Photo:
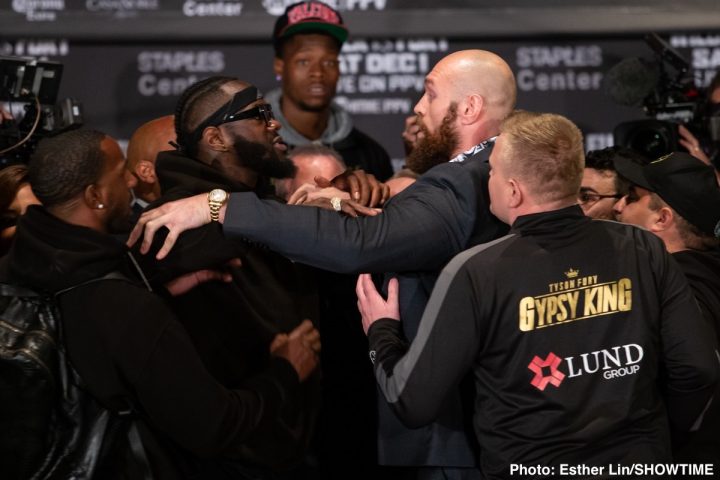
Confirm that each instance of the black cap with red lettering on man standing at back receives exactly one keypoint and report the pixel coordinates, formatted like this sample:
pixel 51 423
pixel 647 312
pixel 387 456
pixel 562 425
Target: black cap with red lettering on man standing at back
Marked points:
pixel 309 17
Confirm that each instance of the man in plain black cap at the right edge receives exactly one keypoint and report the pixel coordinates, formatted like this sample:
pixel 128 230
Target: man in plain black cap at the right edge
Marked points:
pixel 677 198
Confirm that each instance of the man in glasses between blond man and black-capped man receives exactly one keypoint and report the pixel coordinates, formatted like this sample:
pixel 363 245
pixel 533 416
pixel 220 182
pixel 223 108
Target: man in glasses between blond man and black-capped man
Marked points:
pixel 601 187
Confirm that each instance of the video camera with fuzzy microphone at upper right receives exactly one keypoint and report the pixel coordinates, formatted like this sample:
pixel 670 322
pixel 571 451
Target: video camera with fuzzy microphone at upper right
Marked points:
pixel 666 92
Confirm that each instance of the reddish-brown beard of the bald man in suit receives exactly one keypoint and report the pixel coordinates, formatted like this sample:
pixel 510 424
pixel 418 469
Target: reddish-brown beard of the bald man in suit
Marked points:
pixel 434 149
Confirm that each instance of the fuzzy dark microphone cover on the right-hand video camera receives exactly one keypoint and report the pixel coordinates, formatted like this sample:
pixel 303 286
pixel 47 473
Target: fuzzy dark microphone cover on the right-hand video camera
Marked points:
pixel 631 81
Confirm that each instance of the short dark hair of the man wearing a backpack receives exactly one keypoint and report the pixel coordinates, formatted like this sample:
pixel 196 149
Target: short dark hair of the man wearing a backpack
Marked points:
pixel 62 166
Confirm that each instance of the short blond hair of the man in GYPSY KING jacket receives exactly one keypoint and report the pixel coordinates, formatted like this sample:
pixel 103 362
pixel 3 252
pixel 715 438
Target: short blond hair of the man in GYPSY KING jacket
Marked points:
pixel 546 152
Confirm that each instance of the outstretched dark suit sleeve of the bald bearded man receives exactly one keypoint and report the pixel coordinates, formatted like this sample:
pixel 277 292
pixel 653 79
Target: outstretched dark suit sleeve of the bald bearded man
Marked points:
pixel 420 229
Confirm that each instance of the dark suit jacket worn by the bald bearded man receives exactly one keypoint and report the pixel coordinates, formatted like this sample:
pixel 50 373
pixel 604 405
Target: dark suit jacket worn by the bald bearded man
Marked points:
pixel 418 232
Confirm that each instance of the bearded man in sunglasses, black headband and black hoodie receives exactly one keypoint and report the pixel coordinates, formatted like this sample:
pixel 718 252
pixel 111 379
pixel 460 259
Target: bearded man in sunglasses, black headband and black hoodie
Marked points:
pixel 227 140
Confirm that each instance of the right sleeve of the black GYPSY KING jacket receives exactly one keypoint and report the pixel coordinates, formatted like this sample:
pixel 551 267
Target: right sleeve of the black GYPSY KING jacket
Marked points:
pixel 690 357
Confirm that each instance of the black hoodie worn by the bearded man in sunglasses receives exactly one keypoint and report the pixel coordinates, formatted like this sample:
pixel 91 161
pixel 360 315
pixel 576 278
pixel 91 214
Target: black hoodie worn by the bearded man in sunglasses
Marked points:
pixel 232 324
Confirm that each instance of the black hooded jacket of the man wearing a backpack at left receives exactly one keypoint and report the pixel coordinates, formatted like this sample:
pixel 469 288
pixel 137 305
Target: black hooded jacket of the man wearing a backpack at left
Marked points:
pixel 126 344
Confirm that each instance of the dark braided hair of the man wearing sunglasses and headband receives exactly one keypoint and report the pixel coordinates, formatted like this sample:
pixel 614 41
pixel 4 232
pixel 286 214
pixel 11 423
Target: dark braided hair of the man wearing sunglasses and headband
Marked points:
pixel 195 104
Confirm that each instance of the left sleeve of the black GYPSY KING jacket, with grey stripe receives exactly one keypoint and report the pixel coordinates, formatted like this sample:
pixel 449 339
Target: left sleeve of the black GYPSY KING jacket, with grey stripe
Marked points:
pixel 416 380
